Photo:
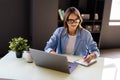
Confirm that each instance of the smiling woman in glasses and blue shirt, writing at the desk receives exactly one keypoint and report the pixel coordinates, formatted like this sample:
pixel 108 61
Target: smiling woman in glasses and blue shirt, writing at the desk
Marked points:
pixel 72 38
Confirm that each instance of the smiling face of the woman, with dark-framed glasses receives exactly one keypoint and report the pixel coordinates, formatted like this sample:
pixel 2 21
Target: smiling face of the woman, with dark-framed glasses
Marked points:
pixel 73 22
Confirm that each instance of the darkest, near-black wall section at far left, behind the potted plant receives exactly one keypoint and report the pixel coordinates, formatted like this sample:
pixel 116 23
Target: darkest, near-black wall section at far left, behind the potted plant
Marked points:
pixel 14 21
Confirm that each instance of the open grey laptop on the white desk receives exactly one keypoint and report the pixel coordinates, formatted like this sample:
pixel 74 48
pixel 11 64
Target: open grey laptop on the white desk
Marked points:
pixel 52 61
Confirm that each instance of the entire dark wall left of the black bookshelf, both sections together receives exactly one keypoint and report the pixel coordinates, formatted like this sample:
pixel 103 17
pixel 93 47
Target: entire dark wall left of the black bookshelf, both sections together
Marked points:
pixel 34 20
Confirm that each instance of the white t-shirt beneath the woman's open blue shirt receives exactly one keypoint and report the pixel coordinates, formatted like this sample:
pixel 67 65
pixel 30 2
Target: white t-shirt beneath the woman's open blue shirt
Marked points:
pixel 70 44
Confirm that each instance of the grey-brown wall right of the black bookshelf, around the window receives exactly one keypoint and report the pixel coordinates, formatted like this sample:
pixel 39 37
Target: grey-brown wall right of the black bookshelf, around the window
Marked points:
pixel 110 35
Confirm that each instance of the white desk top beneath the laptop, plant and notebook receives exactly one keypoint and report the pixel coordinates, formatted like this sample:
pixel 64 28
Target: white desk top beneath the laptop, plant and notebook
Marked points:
pixel 14 68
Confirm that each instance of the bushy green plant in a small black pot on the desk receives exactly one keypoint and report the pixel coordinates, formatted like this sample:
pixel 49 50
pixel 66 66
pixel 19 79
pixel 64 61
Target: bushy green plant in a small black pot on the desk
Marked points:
pixel 19 45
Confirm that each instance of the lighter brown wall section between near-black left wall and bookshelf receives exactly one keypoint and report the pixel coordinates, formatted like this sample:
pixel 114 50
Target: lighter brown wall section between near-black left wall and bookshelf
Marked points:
pixel 44 21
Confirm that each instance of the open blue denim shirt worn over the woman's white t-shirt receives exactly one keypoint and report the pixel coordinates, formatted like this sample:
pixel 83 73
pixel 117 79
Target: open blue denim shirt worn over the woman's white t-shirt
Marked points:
pixel 59 39
